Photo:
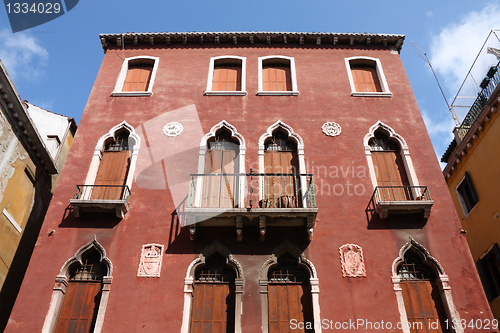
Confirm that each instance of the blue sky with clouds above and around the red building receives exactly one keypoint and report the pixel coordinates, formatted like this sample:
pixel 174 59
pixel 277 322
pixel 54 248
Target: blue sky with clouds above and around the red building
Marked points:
pixel 54 65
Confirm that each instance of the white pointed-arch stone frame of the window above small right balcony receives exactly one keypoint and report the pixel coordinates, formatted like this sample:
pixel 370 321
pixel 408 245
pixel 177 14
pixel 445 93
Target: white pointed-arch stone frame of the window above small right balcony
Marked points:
pixel 404 151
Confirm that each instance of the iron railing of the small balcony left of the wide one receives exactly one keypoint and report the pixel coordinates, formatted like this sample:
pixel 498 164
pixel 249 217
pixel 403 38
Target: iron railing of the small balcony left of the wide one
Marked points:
pixel 101 192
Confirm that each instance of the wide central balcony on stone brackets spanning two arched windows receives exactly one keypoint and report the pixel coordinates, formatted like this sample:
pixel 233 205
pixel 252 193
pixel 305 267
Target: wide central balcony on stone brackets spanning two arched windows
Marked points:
pixel 251 200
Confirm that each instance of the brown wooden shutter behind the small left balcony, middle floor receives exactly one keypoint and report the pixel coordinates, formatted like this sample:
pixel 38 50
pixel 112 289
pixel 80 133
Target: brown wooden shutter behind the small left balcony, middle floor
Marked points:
pixel 112 171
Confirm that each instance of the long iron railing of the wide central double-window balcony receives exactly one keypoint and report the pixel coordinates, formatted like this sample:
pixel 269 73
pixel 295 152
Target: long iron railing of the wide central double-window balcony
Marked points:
pixel 251 190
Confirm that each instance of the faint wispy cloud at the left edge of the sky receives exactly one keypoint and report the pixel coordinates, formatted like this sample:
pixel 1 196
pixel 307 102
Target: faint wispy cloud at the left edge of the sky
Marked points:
pixel 22 55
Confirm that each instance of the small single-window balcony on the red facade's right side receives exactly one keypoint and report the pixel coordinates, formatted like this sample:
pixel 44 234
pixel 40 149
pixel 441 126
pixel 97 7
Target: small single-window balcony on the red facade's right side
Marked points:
pixel 402 200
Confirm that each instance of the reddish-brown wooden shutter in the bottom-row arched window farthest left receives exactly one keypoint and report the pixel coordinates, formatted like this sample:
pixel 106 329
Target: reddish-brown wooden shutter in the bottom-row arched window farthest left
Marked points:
pixel 79 308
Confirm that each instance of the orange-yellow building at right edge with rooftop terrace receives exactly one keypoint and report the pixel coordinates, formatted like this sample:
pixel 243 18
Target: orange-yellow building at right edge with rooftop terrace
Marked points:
pixel 473 177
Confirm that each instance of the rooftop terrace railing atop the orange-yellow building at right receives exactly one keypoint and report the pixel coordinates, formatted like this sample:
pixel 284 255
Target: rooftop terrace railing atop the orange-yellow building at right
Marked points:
pixel 488 86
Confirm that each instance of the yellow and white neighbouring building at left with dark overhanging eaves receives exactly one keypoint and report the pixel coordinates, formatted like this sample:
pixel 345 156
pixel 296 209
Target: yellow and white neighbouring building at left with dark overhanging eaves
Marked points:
pixel 33 146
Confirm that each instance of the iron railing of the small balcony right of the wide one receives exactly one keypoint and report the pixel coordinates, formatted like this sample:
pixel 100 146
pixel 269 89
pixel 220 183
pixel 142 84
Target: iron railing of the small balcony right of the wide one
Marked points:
pixel 401 193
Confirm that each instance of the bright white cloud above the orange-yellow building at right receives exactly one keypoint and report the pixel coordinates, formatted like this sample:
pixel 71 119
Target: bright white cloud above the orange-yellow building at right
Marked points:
pixel 454 49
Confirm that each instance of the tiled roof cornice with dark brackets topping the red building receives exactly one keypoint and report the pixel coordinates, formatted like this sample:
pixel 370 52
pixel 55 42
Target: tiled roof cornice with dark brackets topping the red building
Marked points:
pixel 297 39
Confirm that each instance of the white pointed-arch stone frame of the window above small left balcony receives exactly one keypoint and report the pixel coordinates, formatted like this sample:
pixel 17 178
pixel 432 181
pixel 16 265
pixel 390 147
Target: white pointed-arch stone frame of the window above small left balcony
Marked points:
pixel 134 143
